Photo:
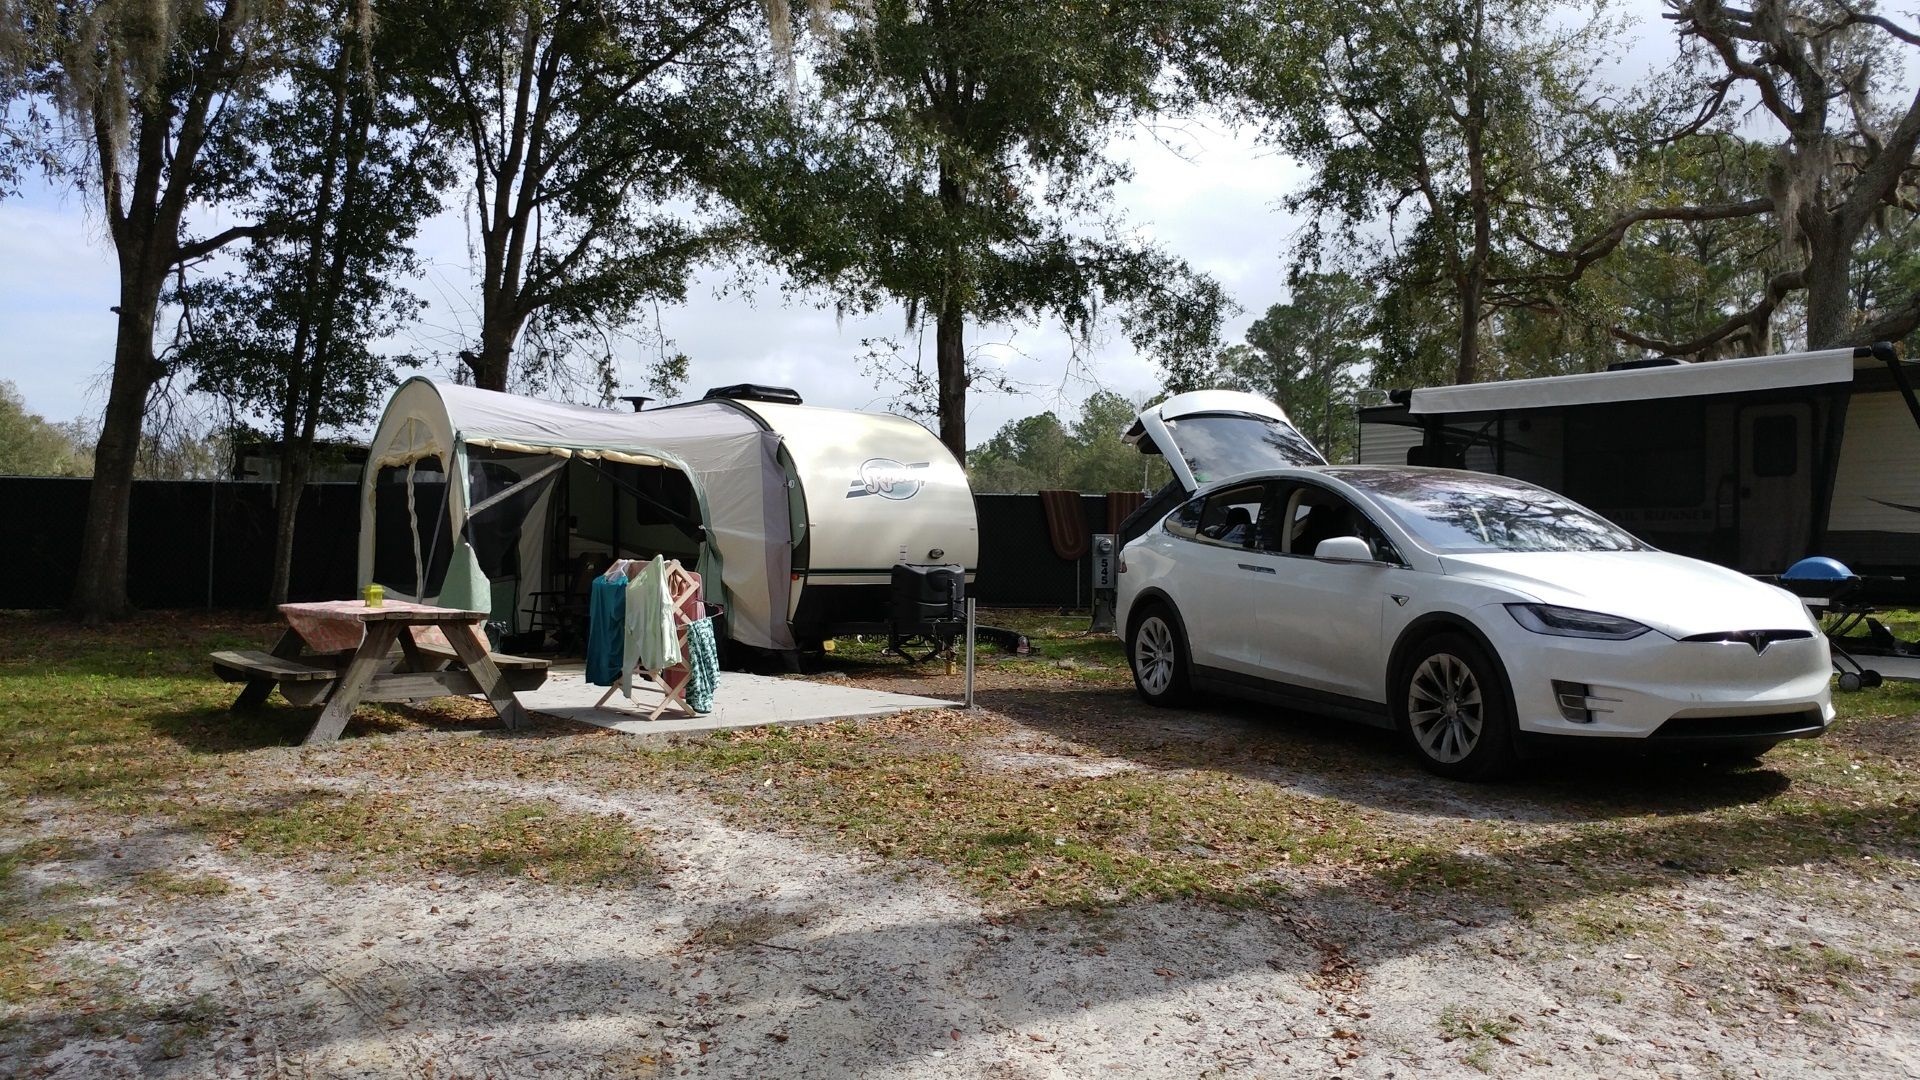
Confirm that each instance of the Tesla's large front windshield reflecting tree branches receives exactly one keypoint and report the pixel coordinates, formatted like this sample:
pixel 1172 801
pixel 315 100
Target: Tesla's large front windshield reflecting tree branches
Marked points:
pixel 1472 512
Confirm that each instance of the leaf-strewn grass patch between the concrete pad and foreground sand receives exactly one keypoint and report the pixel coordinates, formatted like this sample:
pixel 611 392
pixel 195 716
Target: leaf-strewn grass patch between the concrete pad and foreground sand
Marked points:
pixel 1063 843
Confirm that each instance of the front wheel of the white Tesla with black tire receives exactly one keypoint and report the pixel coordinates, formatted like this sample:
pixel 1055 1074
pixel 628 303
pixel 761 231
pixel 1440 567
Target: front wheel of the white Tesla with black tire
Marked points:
pixel 1451 704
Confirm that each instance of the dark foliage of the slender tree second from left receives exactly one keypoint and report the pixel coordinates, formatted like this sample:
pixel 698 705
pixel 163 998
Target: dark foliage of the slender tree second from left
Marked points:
pixel 341 176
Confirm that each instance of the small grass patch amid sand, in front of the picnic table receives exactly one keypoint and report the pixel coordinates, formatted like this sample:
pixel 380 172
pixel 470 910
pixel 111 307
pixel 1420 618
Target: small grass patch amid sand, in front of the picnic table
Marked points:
pixel 398 833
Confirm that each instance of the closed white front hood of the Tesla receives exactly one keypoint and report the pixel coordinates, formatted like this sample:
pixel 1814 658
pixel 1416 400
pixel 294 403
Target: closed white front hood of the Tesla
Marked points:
pixel 1673 595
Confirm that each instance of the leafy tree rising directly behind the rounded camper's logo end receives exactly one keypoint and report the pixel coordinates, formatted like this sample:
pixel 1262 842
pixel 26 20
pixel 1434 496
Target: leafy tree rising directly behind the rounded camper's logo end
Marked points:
pixel 959 166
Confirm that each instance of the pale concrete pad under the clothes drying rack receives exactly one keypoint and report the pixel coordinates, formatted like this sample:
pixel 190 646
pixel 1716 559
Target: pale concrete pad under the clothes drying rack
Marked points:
pixel 740 702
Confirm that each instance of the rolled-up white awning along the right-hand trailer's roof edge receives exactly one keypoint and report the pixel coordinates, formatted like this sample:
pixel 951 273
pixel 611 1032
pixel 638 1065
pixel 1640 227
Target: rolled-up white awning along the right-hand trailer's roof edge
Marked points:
pixel 1641 385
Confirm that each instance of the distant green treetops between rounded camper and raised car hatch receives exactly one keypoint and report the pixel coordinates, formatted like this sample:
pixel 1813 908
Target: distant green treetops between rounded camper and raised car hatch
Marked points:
pixel 1040 453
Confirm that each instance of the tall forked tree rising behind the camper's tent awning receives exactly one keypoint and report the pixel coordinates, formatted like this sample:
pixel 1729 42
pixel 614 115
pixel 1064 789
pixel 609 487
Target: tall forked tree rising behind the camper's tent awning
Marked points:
pixel 592 135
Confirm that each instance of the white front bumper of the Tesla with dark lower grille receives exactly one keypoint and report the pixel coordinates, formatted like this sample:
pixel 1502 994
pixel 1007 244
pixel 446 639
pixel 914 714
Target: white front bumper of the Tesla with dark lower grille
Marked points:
pixel 1658 691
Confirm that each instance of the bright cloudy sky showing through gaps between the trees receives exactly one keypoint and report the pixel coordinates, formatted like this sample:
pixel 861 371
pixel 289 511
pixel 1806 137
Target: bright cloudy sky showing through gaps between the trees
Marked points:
pixel 1203 191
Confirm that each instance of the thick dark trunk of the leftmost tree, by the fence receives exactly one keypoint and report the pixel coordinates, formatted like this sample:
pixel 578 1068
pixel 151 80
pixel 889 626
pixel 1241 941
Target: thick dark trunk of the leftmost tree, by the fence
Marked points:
pixel 101 581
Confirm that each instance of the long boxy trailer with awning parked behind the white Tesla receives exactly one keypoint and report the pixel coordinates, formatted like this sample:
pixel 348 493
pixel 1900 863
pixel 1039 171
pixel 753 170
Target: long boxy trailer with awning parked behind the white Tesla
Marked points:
pixel 1752 462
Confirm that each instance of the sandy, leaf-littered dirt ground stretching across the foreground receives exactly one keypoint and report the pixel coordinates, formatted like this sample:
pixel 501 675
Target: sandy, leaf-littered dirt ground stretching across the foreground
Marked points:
pixel 754 943
